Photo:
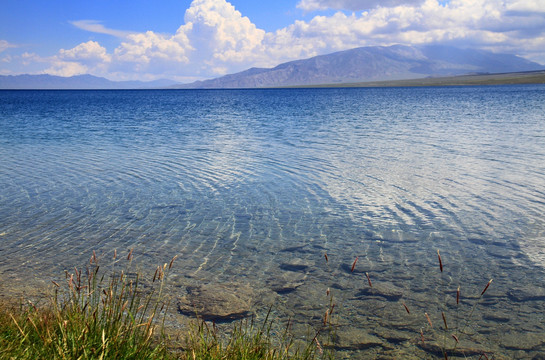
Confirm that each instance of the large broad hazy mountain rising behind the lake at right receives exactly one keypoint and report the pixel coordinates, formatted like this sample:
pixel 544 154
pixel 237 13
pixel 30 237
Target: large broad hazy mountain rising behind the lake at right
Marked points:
pixel 377 63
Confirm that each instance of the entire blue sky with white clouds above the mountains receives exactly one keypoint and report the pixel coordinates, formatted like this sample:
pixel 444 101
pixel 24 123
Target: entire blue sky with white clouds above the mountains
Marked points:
pixel 186 40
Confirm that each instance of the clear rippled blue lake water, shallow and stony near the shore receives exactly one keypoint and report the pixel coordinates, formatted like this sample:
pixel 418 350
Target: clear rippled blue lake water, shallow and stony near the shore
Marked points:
pixel 255 186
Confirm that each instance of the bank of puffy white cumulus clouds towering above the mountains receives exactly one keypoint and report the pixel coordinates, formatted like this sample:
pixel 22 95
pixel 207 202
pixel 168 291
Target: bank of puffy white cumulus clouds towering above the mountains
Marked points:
pixel 216 39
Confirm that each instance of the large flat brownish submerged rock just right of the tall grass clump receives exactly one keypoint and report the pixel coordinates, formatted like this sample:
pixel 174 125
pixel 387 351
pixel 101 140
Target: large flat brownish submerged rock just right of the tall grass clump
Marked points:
pixel 220 302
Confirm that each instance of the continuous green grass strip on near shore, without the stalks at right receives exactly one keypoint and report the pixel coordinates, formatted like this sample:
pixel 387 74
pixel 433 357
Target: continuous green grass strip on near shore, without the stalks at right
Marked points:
pixel 114 314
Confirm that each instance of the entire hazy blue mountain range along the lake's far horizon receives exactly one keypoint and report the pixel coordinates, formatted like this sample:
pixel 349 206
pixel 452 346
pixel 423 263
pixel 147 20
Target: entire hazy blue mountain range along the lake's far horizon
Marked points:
pixel 359 65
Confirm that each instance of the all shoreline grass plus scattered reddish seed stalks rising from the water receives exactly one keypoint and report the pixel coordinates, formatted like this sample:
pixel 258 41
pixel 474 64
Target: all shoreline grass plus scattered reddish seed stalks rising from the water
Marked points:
pixel 114 312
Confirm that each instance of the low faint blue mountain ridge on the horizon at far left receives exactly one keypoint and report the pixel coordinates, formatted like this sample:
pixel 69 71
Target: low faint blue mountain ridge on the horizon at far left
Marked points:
pixel 75 82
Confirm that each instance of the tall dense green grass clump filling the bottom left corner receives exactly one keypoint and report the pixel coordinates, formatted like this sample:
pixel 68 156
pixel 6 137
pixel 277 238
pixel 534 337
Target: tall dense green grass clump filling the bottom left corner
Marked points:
pixel 91 317
